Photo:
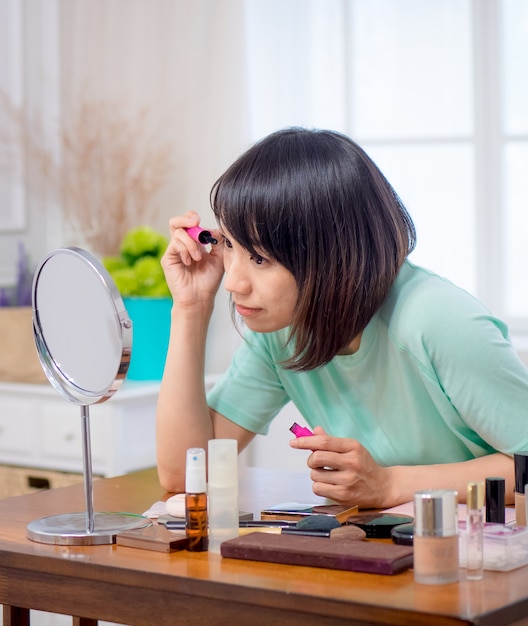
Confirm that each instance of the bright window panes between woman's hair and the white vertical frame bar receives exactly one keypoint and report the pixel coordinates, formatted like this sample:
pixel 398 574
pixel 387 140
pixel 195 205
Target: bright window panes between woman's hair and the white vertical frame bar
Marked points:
pixel 411 108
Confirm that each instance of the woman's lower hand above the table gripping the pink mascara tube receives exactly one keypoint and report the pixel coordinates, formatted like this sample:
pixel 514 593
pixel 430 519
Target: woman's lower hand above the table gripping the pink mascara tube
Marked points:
pixel 344 471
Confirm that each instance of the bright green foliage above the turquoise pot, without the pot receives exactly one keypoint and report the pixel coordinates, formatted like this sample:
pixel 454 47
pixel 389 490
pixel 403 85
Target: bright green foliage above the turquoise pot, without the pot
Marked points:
pixel 137 270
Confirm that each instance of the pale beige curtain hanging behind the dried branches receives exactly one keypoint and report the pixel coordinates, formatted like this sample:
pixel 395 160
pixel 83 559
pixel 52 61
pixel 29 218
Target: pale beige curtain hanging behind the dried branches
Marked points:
pixel 181 60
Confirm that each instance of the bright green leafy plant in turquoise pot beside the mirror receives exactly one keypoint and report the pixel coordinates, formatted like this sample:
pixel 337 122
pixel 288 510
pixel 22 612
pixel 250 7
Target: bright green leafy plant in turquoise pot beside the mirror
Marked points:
pixel 139 278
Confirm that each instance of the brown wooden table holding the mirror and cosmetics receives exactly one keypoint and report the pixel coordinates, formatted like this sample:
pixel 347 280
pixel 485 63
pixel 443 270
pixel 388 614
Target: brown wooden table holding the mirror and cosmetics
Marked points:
pixel 141 587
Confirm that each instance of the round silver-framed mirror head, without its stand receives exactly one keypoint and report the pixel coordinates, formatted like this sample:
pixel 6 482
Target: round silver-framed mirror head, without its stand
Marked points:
pixel 82 331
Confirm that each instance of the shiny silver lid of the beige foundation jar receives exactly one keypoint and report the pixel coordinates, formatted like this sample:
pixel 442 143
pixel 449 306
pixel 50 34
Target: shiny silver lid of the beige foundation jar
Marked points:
pixel 435 513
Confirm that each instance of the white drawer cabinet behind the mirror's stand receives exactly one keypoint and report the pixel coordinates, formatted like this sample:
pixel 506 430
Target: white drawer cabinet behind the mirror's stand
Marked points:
pixel 39 429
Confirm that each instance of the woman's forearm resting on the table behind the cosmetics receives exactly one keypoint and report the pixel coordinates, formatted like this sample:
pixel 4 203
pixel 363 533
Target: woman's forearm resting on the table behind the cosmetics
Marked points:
pixel 406 480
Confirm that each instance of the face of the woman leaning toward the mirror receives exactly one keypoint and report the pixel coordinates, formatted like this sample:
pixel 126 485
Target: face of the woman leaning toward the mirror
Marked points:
pixel 264 292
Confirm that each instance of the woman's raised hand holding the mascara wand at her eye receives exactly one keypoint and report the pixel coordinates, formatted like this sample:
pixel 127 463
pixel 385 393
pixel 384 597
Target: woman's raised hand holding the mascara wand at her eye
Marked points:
pixel 193 274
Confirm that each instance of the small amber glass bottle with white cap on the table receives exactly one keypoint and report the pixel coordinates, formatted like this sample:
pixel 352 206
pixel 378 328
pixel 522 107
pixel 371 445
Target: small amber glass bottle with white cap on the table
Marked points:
pixel 196 501
